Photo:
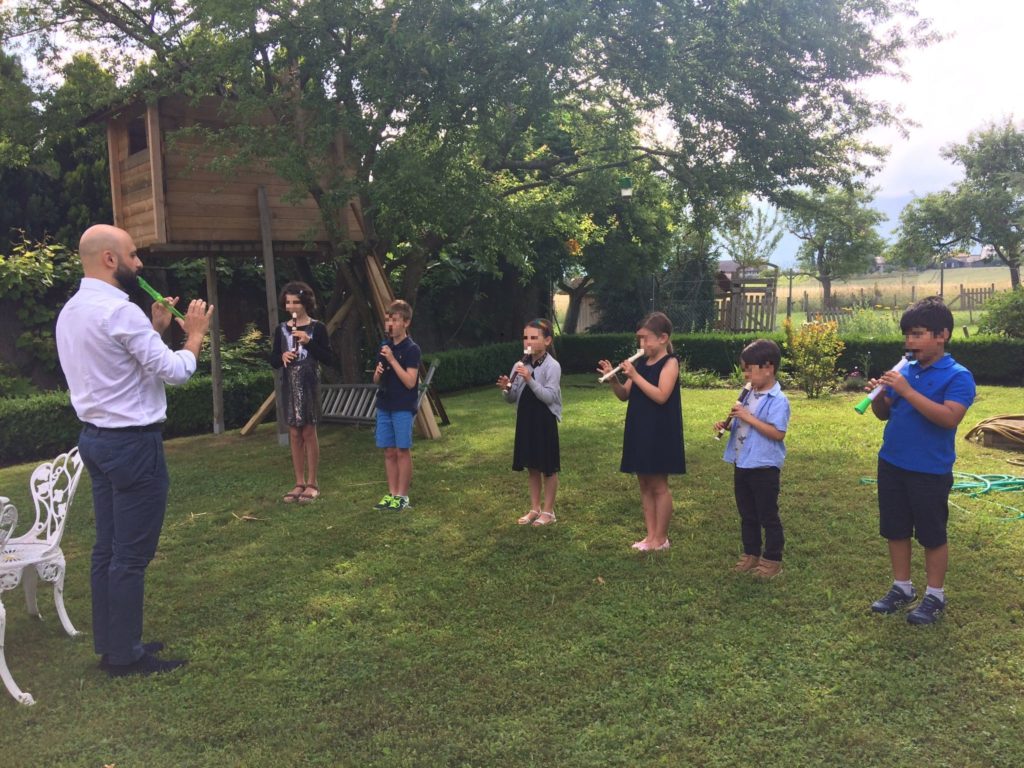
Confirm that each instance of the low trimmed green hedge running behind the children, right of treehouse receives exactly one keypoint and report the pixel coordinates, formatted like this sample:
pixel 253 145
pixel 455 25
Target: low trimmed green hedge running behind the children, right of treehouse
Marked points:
pixel 994 361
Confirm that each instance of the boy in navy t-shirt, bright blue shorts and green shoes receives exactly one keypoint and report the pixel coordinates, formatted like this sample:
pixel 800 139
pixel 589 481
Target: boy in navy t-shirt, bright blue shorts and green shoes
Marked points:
pixel 397 376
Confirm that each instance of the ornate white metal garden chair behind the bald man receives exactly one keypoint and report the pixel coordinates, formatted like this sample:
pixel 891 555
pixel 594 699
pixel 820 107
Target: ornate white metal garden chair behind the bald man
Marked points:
pixel 36 554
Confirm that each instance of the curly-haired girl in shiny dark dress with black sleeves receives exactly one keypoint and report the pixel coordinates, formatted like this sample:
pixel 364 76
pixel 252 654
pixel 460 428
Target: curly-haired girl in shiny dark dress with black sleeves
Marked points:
pixel 300 344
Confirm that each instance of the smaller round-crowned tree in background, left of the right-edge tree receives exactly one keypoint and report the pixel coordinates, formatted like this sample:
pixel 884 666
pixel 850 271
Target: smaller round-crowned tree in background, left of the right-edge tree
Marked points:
pixel 838 233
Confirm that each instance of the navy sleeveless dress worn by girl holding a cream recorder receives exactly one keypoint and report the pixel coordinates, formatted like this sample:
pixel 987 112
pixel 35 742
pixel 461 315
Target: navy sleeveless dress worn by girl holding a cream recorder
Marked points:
pixel 653 443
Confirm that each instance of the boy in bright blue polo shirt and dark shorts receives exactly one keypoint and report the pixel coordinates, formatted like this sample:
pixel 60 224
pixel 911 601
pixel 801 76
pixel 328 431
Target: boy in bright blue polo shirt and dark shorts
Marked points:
pixel 923 407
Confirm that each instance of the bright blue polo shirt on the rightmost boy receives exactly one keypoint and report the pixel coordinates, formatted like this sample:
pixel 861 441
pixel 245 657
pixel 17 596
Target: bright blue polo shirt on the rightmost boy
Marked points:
pixel 911 442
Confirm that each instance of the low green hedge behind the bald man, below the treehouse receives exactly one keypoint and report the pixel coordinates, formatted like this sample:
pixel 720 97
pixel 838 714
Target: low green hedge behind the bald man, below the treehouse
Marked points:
pixel 45 425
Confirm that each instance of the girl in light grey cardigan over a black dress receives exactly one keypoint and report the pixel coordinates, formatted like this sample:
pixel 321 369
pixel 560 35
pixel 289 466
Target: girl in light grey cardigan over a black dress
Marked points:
pixel 535 388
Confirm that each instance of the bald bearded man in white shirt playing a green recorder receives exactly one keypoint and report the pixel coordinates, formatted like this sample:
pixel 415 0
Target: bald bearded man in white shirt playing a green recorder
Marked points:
pixel 117 366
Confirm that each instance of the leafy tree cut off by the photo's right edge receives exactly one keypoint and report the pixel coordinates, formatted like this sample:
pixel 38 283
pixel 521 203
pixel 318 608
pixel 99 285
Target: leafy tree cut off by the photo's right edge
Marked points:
pixel 986 208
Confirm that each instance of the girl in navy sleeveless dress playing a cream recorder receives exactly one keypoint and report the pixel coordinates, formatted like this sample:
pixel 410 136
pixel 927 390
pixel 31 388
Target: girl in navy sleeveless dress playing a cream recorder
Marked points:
pixel 653 444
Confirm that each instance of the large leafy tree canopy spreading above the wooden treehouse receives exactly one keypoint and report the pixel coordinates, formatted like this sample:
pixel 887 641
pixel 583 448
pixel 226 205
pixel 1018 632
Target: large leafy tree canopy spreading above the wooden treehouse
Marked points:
pixel 460 100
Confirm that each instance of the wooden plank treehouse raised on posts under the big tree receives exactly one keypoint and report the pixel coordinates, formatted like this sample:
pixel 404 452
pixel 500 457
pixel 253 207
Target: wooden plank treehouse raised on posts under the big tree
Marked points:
pixel 177 198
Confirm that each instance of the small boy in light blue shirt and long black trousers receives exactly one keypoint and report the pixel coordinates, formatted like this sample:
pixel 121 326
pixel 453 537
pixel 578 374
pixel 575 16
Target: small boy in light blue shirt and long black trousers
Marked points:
pixel 757 450
